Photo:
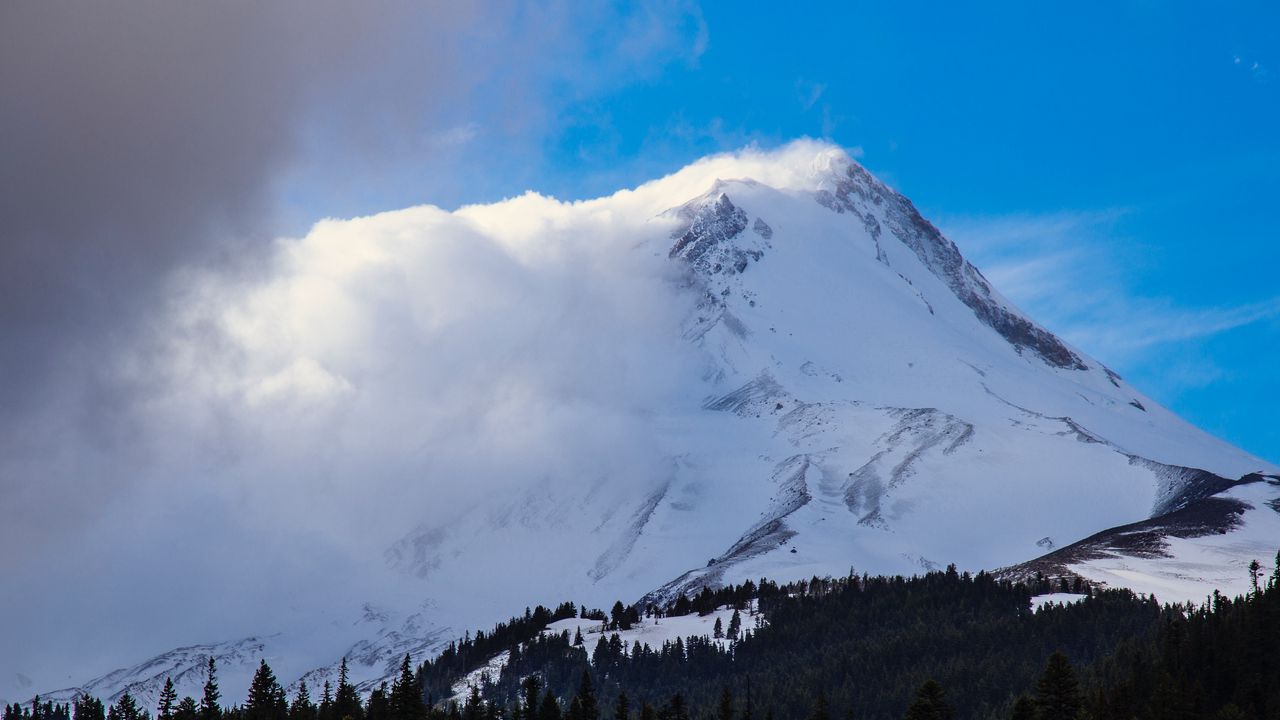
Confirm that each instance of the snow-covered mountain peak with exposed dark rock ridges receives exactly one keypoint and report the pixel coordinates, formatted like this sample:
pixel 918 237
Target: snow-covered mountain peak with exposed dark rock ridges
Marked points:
pixel 862 399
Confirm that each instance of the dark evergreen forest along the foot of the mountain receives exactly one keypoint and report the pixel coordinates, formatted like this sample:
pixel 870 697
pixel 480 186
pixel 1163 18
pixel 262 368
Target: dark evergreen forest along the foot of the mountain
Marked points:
pixel 938 646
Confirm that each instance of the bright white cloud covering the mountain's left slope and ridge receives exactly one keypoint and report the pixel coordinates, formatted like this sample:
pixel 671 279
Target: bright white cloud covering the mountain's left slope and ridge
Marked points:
pixel 369 377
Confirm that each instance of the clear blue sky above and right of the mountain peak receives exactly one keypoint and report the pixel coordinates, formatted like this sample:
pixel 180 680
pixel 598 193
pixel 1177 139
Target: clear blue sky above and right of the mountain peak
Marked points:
pixel 1113 168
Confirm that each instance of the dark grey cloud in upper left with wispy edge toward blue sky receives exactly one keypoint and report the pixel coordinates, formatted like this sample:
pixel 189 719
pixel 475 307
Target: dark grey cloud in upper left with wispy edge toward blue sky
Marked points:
pixel 145 139
